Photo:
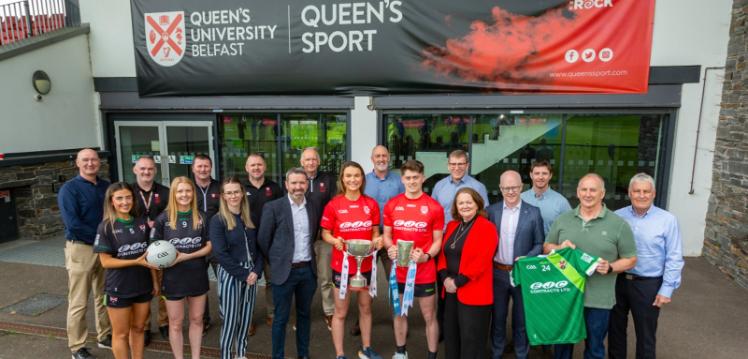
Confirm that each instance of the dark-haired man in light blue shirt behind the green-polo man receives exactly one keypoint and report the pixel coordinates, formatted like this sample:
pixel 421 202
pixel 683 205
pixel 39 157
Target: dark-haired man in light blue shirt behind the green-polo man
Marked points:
pixel 541 195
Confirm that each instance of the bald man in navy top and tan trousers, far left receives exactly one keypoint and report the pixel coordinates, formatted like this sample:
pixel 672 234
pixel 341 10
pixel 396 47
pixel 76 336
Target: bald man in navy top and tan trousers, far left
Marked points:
pixel 81 202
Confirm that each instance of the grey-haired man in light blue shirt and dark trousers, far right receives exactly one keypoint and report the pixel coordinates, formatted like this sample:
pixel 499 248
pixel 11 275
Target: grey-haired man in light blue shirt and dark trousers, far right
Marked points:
pixel 644 289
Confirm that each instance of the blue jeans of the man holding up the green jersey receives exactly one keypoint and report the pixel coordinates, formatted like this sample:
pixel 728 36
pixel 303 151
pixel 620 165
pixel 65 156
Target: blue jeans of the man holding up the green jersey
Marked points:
pixel 596 320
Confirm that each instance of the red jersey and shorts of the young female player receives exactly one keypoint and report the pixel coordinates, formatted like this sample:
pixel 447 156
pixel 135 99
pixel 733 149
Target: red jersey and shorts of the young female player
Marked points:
pixel 350 220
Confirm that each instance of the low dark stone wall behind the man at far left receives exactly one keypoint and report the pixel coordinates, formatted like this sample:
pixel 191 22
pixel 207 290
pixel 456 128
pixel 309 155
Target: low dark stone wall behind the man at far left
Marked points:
pixel 35 190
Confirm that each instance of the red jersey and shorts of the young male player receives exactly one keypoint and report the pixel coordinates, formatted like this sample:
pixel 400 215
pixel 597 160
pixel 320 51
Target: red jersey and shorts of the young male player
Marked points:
pixel 415 220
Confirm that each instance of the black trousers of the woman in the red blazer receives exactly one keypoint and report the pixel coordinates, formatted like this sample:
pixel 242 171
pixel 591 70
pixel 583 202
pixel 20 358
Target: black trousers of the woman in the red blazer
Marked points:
pixel 466 329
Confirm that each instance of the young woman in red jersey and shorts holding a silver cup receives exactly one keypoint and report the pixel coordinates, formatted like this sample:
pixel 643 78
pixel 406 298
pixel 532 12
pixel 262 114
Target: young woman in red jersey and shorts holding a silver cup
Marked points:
pixel 351 215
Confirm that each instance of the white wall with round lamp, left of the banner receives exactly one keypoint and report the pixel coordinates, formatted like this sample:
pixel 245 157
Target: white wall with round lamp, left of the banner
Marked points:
pixel 66 117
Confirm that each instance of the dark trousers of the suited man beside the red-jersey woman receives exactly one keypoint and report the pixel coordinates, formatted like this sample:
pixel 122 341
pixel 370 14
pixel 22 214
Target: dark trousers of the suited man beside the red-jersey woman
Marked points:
pixel 302 284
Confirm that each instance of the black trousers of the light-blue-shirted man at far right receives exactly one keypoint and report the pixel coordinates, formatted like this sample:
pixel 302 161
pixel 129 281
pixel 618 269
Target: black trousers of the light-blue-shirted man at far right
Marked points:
pixel 634 294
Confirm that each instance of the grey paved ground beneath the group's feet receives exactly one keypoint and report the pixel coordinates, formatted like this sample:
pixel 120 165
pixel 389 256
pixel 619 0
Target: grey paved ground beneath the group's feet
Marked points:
pixel 707 318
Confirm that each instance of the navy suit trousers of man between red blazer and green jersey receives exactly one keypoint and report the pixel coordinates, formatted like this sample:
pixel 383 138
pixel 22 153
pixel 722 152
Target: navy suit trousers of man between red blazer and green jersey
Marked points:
pixel 502 292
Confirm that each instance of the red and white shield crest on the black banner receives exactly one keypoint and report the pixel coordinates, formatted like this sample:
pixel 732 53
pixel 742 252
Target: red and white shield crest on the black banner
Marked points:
pixel 165 38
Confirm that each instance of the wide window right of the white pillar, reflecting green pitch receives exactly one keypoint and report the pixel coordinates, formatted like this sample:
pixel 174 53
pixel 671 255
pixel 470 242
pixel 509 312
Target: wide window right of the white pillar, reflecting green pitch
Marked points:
pixel 616 146
